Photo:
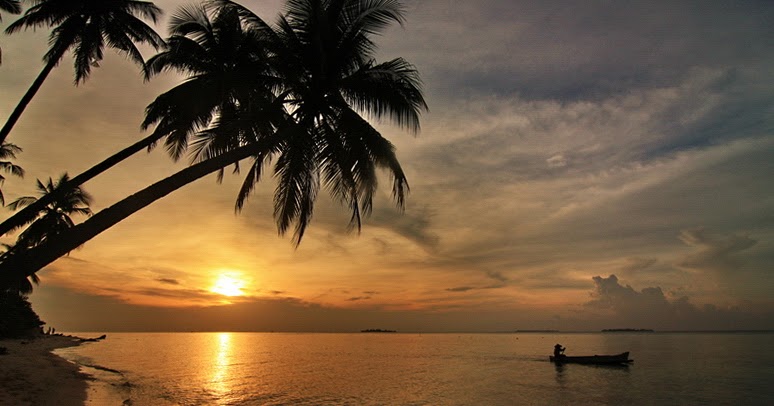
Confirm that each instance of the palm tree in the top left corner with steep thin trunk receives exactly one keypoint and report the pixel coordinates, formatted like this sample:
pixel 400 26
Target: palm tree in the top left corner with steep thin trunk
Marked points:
pixel 85 26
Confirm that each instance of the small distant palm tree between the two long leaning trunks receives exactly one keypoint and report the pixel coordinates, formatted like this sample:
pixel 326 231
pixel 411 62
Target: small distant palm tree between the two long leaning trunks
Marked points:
pixel 54 220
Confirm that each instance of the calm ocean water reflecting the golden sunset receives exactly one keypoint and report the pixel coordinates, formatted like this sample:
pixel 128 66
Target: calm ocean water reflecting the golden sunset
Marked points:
pixel 426 369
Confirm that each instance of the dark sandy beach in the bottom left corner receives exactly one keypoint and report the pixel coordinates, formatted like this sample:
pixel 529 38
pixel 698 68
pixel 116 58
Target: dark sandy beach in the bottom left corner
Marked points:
pixel 31 375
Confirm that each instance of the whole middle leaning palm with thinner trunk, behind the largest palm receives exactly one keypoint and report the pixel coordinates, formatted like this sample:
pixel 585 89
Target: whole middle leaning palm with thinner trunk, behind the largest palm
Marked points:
pixel 224 61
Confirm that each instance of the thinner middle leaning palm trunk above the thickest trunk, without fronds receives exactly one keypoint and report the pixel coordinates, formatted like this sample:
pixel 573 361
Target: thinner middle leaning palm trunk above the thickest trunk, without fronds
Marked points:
pixel 30 212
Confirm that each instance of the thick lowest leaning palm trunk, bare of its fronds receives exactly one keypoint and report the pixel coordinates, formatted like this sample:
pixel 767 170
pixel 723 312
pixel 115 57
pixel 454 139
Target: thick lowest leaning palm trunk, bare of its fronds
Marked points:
pixel 28 262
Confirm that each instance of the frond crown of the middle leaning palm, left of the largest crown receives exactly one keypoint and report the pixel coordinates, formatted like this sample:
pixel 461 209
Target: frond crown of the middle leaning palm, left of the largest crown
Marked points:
pixel 228 69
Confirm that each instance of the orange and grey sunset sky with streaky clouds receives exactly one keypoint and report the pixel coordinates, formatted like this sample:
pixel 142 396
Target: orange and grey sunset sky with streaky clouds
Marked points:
pixel 583 165
